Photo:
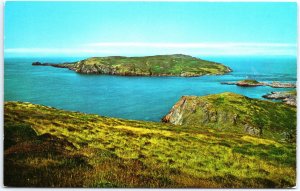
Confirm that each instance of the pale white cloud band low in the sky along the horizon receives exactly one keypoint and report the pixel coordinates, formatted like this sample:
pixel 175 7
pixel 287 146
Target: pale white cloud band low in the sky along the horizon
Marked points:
pixel 138 48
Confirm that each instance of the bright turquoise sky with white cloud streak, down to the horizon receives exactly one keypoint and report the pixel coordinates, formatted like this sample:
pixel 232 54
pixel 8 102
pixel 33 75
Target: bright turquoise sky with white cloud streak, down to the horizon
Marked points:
pixel 149 28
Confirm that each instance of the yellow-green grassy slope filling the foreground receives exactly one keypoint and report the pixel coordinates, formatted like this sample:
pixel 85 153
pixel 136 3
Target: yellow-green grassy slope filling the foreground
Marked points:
pixel 49 147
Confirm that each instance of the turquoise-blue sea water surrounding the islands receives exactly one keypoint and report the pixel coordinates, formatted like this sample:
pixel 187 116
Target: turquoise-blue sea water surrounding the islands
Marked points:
pixel 141 98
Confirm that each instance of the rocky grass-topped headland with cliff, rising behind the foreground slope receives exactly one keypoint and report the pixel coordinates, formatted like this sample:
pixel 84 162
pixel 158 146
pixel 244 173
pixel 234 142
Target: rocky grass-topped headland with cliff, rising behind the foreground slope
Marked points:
pixel 236 112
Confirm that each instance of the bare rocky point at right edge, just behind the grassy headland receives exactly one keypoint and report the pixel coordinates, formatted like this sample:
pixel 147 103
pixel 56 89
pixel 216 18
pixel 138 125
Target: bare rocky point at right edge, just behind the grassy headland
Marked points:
pixel 288 97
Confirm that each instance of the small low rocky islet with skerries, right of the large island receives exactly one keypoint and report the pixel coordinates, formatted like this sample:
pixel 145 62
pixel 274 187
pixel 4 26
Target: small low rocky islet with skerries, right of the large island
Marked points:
pixel 254 83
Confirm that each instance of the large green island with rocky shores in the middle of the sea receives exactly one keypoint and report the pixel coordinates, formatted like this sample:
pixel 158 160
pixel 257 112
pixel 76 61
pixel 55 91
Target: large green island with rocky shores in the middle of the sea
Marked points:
pixel 159 65
